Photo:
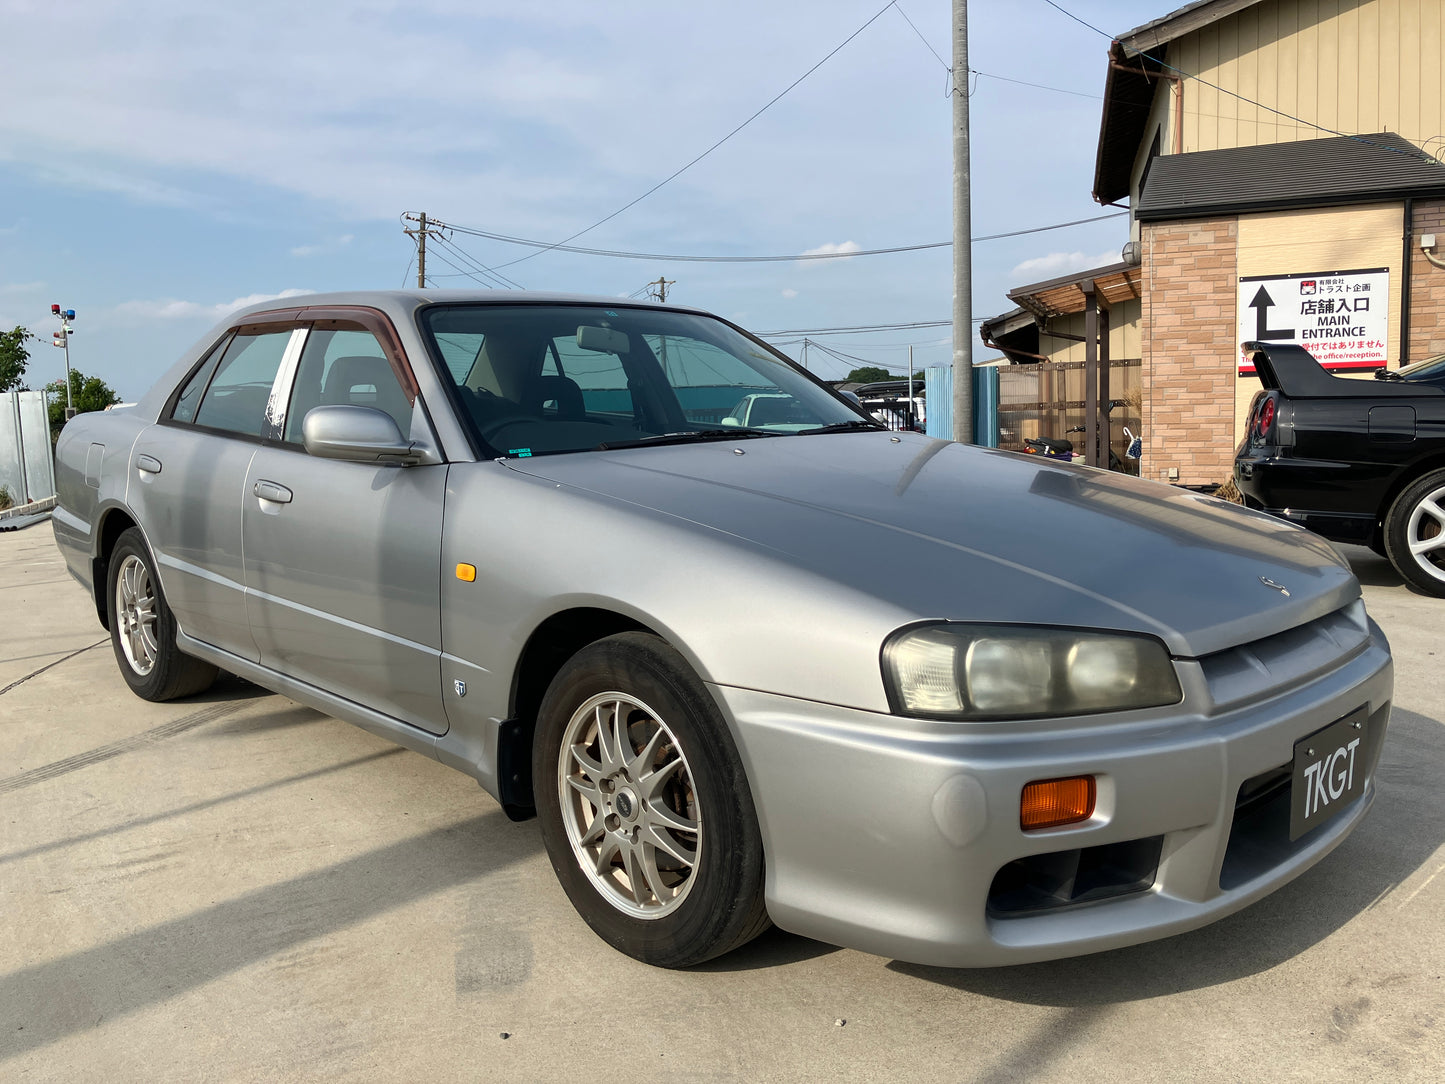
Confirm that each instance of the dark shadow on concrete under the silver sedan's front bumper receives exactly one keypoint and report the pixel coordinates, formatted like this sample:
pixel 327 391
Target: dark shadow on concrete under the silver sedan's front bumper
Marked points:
pixel 1401 833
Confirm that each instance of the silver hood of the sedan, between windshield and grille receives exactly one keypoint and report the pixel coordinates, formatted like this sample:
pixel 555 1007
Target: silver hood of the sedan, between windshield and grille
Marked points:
pixel 956 533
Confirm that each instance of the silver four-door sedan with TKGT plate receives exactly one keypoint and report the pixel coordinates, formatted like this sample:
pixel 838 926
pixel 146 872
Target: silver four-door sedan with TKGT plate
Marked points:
pixel 934 702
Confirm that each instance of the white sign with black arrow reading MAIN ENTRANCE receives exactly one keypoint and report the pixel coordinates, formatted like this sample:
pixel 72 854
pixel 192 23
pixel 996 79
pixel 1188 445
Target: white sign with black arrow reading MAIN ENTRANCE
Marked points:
pixel 1342 319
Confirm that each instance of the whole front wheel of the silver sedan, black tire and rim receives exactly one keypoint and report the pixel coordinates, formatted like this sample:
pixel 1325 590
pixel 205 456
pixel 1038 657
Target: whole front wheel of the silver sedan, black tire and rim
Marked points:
pixel 606 804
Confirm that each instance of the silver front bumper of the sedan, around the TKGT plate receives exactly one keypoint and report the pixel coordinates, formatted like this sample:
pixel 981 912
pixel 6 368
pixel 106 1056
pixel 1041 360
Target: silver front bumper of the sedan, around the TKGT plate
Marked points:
pixel 885 835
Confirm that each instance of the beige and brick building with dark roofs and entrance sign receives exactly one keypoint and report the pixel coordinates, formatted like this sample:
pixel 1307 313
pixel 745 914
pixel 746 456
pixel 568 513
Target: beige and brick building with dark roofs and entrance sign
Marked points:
pixel 1249 223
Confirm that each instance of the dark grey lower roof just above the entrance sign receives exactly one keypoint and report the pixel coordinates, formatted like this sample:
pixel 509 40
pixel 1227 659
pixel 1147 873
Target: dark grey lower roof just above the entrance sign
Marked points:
pixel 1316 173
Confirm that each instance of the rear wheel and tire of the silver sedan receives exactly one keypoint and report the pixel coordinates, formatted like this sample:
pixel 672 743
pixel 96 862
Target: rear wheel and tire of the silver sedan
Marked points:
pixel 144 631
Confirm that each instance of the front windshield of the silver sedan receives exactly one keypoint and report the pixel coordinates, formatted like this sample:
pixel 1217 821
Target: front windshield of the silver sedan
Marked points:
pixel 545 379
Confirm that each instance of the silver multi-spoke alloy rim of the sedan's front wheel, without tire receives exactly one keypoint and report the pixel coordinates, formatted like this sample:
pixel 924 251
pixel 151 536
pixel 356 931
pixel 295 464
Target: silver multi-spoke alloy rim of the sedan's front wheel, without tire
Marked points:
pixel 629 806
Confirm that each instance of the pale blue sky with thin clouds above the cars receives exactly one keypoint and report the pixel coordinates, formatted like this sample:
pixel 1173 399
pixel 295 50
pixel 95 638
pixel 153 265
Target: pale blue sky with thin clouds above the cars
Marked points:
pixel 163 164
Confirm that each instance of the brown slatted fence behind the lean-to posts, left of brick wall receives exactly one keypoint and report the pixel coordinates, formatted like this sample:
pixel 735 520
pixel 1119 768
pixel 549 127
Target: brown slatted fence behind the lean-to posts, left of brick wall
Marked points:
pixel 1047 400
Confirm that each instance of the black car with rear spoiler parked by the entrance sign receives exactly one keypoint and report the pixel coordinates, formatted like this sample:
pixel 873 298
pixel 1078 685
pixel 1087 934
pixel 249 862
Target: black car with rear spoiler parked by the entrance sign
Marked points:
pixel 1353 460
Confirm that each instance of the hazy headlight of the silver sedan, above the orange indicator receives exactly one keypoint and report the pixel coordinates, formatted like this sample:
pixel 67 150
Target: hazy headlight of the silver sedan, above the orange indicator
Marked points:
pixel 998 671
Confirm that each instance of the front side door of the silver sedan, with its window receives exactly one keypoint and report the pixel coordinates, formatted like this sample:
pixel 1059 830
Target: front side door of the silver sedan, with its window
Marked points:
pixel 343 560
